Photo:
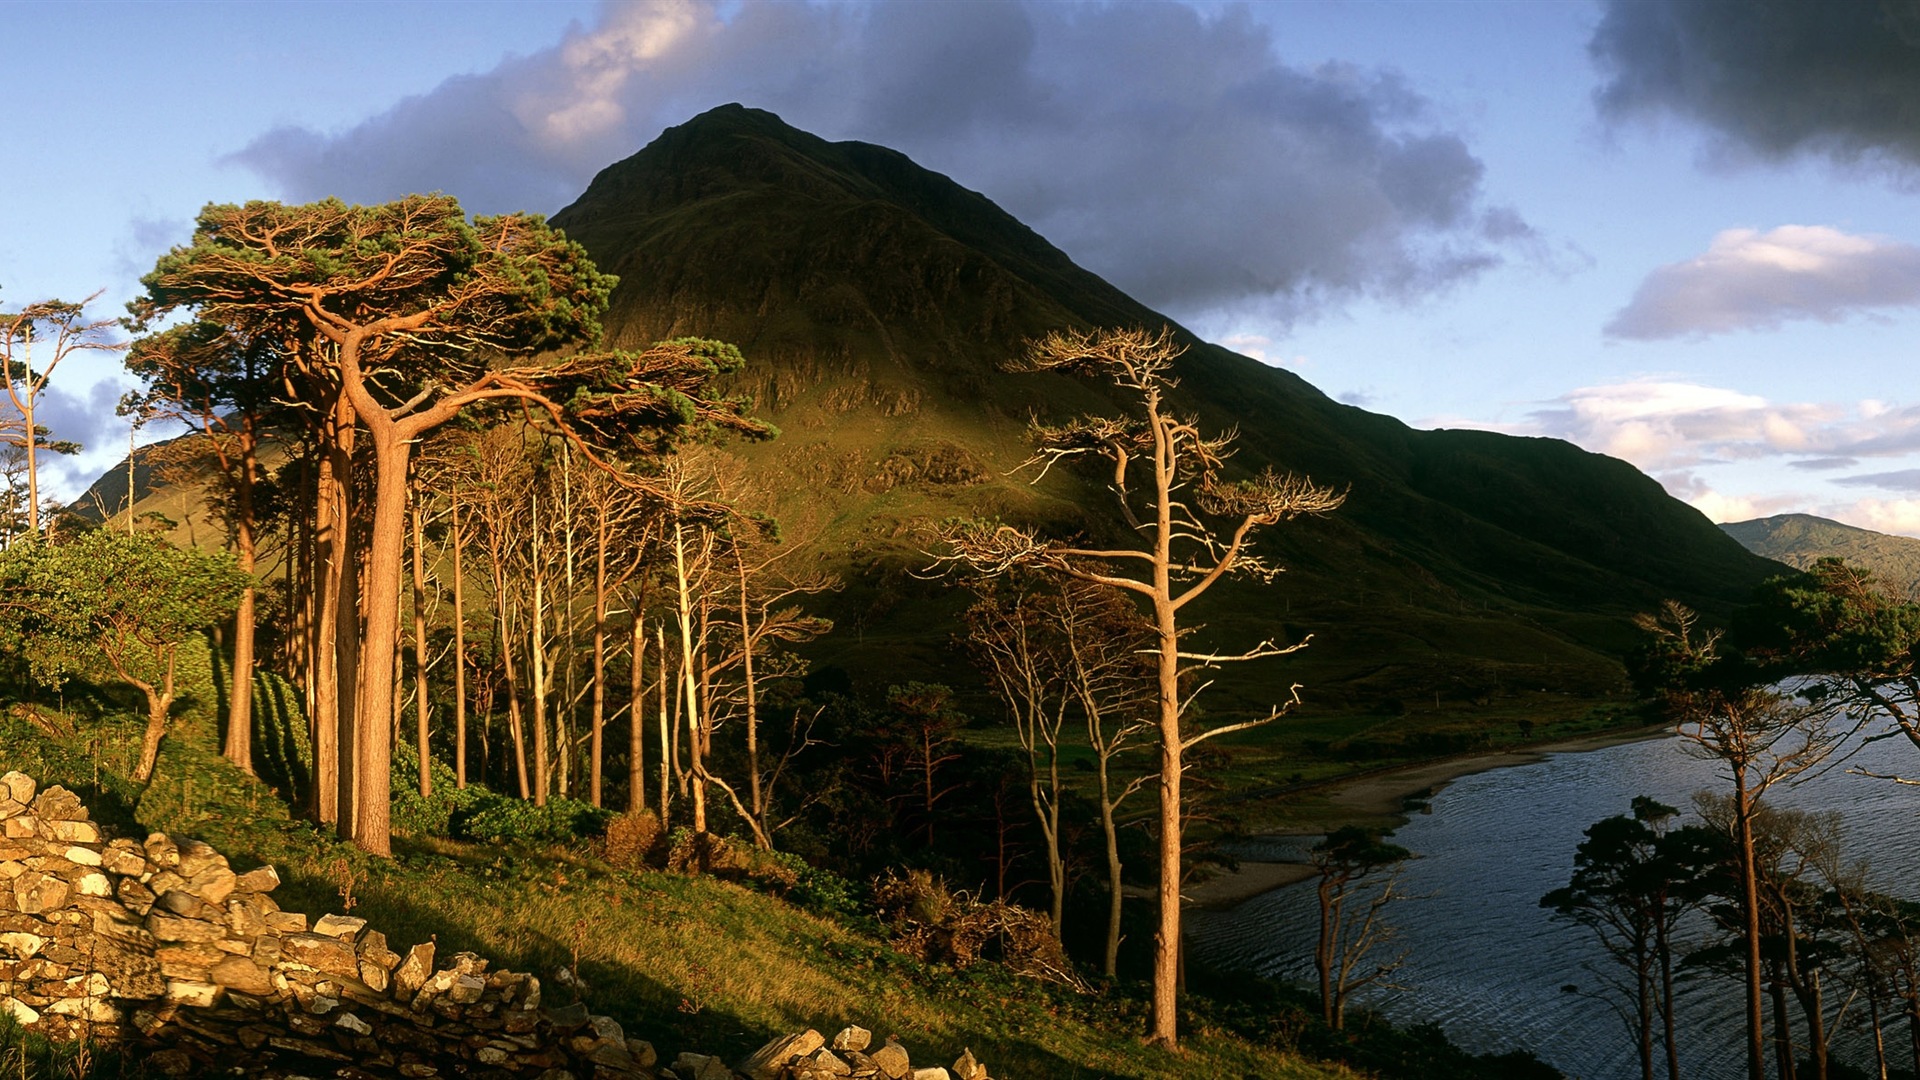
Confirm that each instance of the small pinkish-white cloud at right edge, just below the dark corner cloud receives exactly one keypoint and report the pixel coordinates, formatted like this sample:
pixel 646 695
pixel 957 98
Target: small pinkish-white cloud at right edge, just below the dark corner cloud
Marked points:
pixel 1758 282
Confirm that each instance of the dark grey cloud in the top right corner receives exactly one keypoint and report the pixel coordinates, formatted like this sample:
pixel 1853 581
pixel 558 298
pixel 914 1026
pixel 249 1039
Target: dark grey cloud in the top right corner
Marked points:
pixel 1771 78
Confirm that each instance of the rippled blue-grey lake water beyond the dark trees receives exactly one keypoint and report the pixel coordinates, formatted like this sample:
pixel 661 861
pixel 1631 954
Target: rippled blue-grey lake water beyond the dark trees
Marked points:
pixel 1489 964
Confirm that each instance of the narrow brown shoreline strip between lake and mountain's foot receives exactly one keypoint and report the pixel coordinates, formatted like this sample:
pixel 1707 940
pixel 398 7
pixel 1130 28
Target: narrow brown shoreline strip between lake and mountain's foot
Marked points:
pixel 1385 795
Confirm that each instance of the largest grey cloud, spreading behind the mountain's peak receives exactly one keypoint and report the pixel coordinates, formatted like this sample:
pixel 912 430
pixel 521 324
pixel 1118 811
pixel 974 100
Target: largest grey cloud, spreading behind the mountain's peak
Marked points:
pixel 1168 151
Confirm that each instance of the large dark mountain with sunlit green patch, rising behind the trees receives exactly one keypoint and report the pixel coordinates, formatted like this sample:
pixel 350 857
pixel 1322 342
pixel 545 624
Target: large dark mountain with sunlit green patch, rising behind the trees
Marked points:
pixel 876 303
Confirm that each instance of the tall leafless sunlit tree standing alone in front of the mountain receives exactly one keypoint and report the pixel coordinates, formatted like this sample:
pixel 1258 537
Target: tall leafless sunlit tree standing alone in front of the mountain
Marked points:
pixel 1193 529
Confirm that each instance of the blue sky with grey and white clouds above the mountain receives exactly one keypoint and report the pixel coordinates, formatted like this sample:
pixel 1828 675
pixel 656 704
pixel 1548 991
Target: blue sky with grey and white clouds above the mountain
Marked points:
pixel 1687 235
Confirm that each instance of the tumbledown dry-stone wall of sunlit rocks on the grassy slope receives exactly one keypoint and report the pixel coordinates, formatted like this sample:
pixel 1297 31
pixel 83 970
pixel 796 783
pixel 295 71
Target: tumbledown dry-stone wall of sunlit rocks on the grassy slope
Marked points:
pixel 162 948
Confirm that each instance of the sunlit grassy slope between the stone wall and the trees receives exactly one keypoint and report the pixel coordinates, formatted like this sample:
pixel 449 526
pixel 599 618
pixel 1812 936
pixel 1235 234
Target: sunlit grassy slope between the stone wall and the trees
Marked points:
pixel 683 962
